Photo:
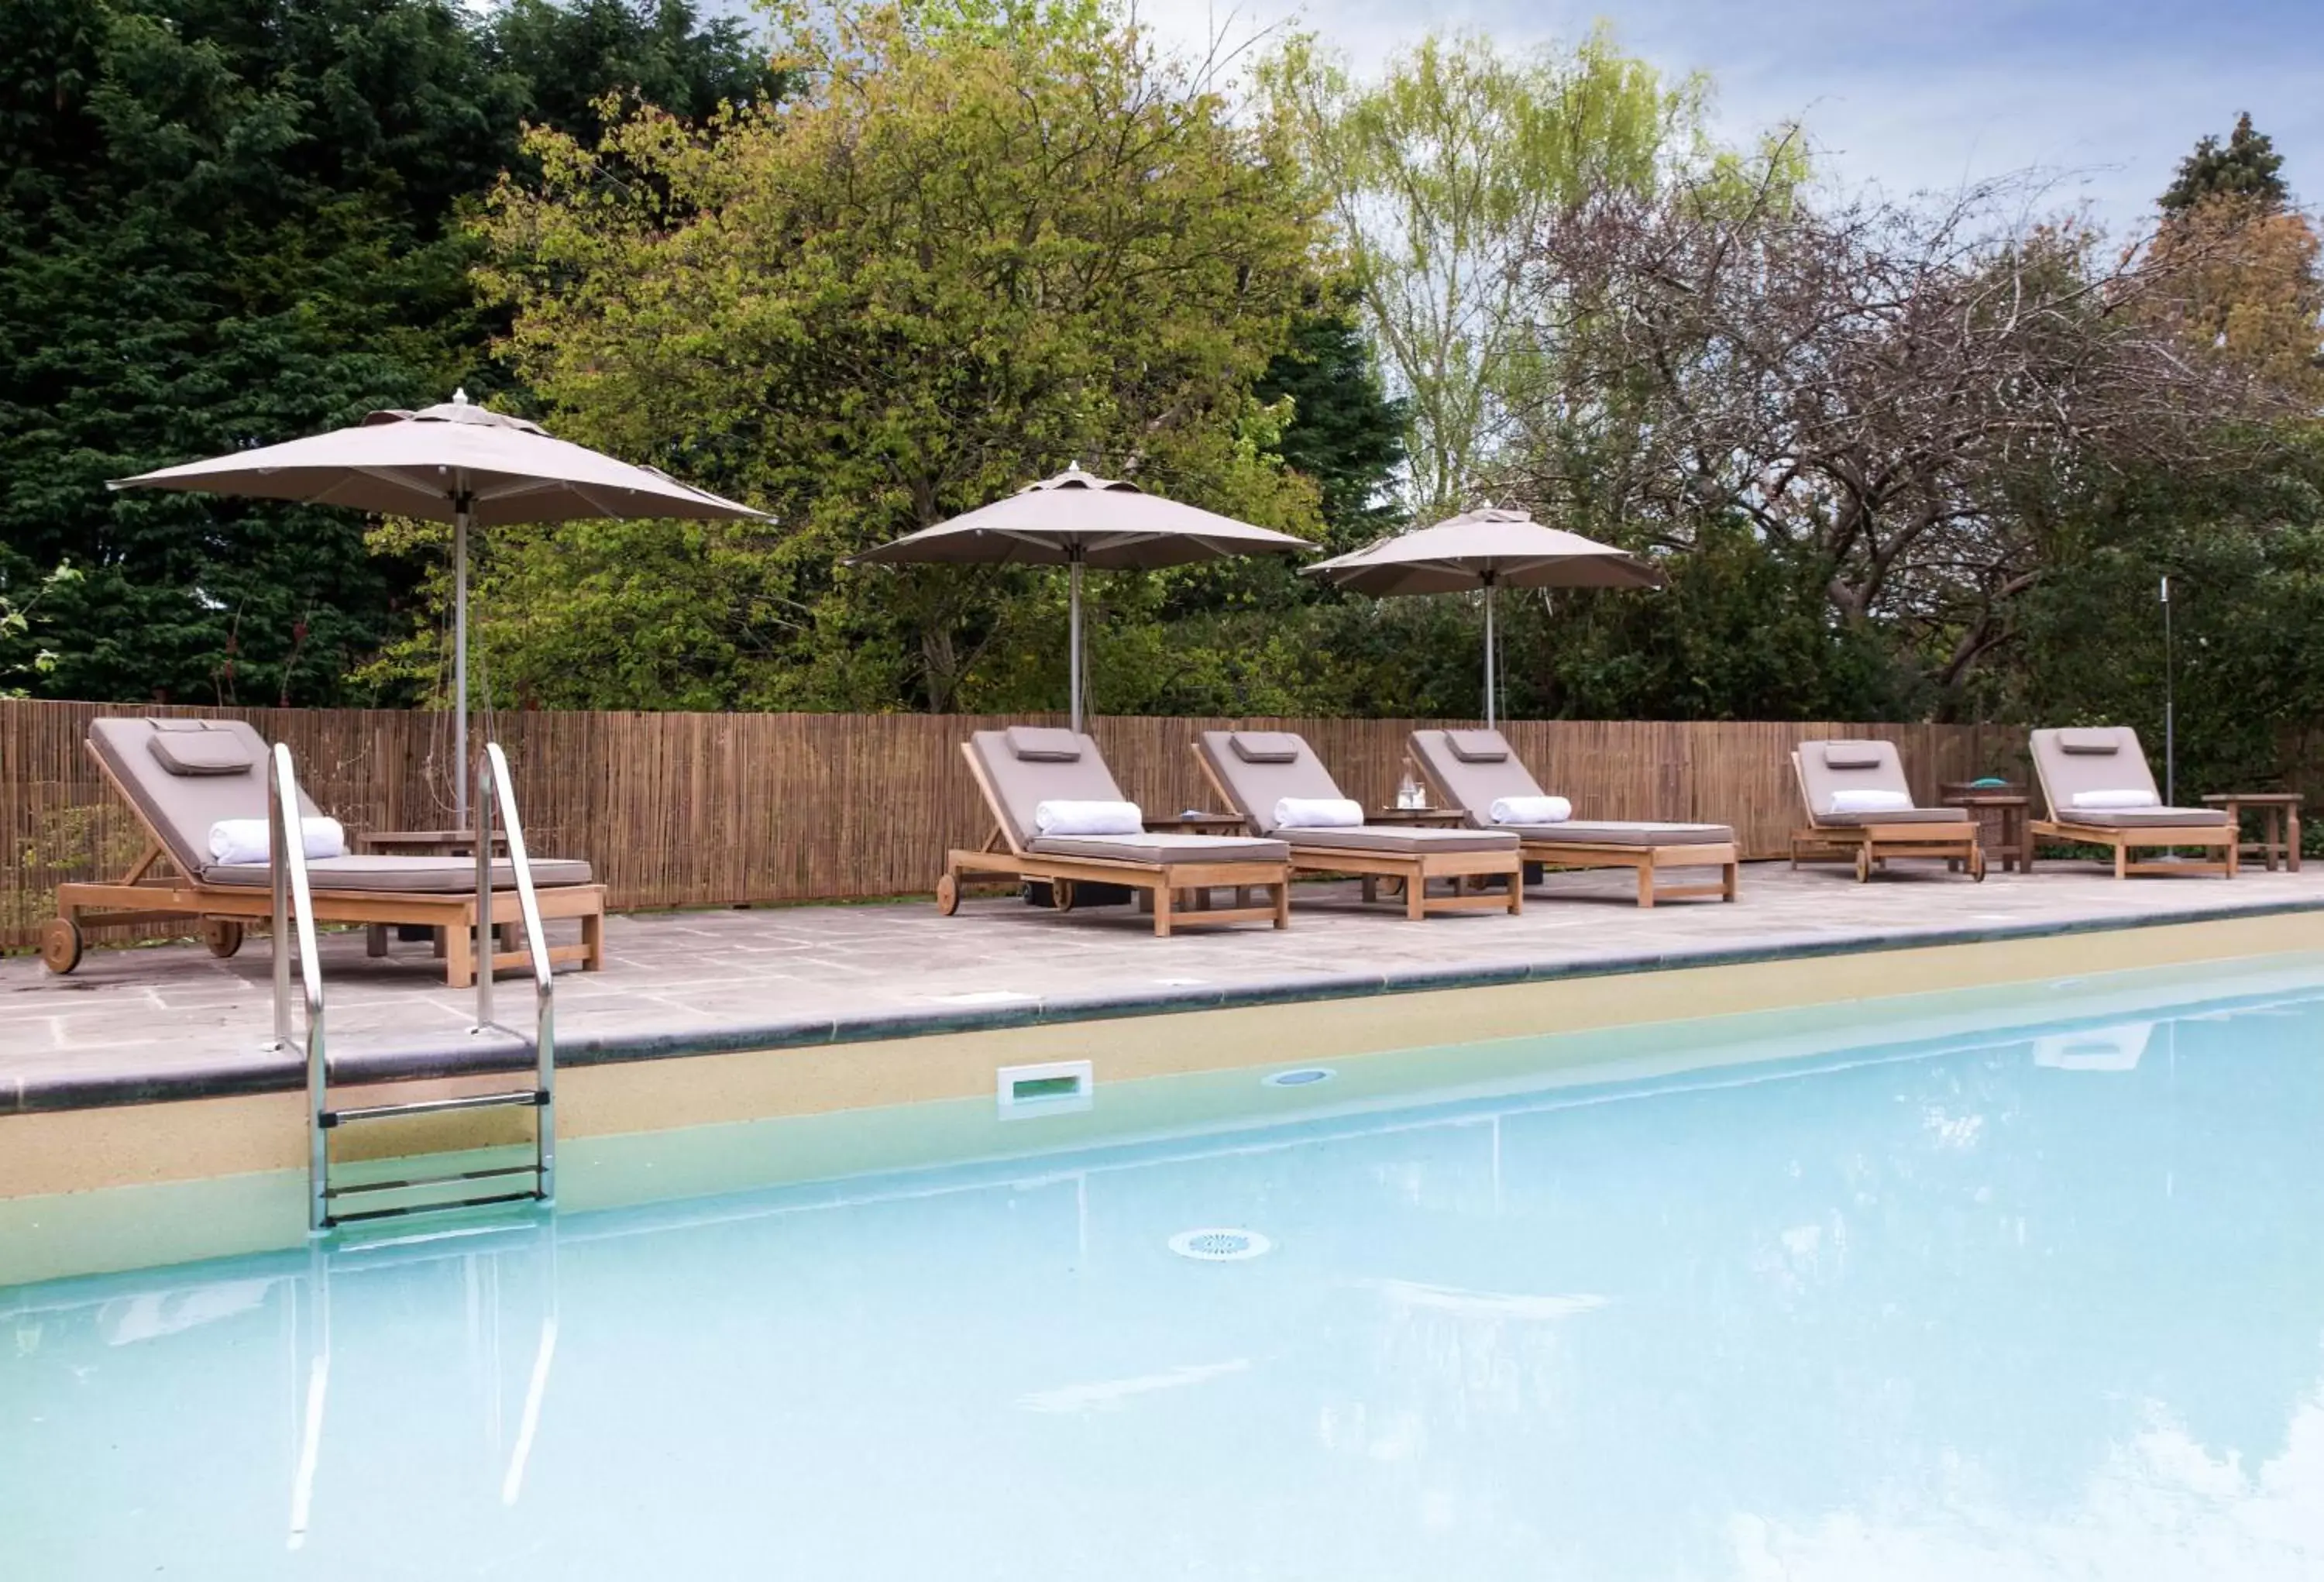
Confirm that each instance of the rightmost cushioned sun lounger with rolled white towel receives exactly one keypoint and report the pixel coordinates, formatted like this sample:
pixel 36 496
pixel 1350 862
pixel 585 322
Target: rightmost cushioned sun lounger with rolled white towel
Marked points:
pixel 2107 763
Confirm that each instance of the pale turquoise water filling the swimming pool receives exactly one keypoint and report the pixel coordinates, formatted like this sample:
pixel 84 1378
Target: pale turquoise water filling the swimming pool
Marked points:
pixel 2032 1302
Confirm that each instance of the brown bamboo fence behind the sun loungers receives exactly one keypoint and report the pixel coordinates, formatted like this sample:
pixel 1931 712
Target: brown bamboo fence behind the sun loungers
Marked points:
pixel 729 810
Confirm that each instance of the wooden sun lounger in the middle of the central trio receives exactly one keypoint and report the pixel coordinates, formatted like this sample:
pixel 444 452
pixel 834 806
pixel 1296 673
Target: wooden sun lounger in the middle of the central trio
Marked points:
pixel 1256 770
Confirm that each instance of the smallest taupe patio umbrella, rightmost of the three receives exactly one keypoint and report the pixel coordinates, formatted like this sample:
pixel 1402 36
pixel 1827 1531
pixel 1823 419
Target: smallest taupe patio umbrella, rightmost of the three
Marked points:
pixel 1486 549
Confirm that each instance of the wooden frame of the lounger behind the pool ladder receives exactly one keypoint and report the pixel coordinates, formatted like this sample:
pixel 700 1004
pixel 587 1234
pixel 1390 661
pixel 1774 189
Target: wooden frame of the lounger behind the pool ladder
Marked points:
pixel 145 893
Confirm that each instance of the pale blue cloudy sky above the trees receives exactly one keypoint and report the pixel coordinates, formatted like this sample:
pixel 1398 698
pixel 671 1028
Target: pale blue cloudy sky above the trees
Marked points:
pixel 2104 96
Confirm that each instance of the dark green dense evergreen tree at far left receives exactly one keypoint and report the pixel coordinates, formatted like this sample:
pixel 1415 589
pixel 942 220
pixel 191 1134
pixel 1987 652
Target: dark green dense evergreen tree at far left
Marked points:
pixel 224 224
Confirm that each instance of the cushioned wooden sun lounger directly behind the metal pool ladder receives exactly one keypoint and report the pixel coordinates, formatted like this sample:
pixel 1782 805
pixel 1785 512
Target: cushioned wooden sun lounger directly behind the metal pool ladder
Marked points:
pixel 182 777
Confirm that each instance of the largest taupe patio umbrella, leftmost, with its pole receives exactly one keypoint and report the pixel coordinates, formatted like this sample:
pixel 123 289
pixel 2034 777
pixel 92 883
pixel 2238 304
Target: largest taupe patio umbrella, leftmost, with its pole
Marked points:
pixel 450 463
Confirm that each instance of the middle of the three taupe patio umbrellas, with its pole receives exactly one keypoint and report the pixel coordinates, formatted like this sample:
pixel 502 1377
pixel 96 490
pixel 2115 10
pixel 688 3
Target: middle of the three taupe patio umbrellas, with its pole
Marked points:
pixel 1079 522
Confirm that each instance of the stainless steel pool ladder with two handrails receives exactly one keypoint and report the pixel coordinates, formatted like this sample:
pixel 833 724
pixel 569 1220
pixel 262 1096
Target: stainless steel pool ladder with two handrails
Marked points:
pixel 294 907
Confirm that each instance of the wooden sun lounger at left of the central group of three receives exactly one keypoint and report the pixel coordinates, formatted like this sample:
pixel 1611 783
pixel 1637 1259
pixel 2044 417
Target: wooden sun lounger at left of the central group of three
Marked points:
pixel 1024 768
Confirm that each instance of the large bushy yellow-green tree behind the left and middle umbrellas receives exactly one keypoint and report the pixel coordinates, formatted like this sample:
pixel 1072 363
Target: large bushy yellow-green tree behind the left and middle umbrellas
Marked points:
pixel 973 250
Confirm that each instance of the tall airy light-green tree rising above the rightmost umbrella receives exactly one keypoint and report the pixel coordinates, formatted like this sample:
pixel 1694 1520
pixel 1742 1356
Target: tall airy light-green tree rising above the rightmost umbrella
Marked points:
pixel 1437 180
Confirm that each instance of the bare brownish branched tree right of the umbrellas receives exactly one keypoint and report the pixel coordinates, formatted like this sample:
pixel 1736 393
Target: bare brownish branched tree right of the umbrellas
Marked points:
pixel 1898 394
